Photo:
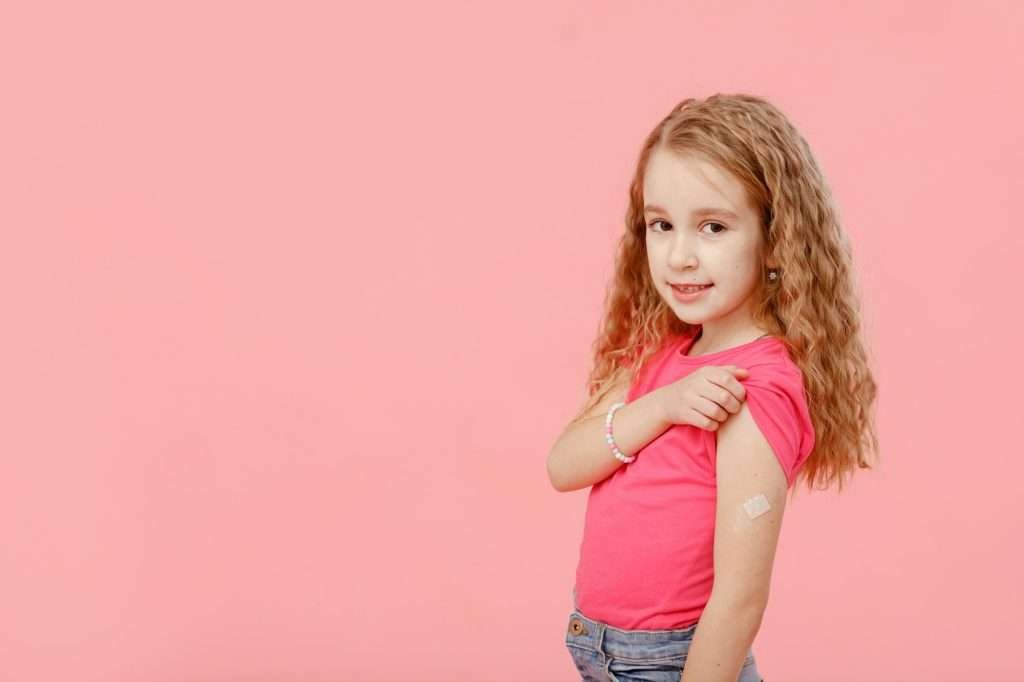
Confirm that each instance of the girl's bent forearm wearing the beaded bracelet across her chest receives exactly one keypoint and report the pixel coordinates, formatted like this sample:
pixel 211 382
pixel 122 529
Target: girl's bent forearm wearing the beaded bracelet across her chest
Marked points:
pixel 582 457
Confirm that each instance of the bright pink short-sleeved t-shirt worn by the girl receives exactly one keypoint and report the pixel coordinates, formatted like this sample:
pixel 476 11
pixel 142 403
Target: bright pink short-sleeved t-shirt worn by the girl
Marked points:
pixel 648 550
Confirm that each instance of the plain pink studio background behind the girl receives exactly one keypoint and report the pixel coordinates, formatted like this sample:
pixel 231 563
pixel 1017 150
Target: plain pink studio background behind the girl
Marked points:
pixel 297 299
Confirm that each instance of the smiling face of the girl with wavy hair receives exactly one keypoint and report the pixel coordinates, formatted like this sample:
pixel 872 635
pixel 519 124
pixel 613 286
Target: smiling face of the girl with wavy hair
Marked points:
pixel 702 229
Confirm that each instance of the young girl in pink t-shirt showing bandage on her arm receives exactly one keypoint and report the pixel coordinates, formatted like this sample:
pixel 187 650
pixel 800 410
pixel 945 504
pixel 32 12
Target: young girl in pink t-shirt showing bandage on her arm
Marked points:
pixel 730 365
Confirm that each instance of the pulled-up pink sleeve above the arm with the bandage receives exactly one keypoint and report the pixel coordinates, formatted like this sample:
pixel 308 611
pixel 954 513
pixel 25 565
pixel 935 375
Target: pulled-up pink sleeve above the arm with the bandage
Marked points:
pixel 777 400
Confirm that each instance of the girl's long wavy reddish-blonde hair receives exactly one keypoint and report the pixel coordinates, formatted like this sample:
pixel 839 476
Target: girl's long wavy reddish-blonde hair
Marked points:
pixel 813 307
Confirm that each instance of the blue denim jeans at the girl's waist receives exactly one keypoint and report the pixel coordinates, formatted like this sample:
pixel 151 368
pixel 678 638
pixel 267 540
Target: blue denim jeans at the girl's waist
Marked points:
pixel 605 654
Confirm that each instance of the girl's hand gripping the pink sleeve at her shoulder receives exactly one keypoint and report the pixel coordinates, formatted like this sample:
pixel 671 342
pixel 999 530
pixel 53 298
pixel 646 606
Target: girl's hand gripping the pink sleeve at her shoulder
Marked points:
pixel 705 398
